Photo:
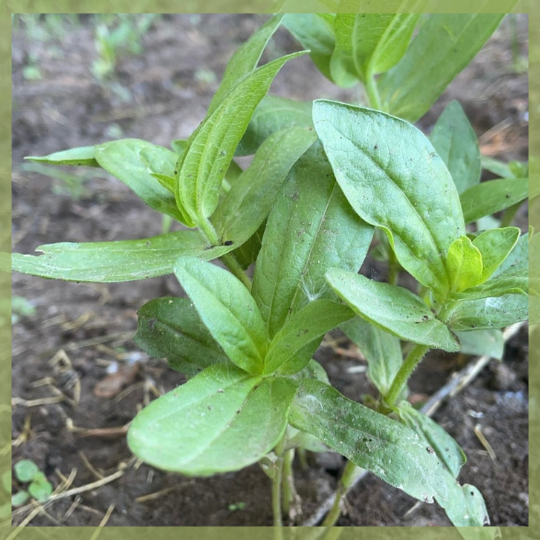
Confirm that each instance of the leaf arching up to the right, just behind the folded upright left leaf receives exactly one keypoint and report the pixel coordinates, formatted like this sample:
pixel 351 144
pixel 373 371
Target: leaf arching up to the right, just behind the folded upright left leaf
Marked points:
pixel 252 196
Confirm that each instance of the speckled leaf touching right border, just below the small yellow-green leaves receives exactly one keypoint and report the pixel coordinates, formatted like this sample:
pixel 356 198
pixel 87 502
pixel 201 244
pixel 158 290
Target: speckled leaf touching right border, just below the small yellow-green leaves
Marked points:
pixel 486 313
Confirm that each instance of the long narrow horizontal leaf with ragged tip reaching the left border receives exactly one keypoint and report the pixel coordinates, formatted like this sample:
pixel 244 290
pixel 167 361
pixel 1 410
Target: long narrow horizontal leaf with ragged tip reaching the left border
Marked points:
pixel 113 262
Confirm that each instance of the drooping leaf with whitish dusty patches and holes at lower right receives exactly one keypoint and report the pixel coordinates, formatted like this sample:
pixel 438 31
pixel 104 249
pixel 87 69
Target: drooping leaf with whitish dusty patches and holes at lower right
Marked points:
pixel 392 451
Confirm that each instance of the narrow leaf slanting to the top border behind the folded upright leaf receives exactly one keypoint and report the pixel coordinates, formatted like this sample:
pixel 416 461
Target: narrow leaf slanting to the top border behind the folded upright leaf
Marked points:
pixel 244 60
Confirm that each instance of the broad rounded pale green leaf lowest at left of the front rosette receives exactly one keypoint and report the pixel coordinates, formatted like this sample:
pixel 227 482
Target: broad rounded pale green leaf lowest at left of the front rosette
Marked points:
pixel 222 420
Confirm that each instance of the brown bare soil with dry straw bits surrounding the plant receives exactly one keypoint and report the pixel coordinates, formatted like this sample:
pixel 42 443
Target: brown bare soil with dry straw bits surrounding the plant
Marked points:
pixel 79 331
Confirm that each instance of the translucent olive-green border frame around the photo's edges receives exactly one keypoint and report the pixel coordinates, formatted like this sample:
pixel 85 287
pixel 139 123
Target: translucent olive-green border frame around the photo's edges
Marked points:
pixel 7 7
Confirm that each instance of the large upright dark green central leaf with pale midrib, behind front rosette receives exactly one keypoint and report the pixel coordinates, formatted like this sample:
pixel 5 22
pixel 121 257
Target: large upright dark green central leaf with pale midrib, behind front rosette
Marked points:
pixel 310 229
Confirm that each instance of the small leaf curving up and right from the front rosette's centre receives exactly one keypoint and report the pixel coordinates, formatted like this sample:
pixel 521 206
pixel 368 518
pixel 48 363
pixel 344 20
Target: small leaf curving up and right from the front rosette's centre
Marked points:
pixel 290 350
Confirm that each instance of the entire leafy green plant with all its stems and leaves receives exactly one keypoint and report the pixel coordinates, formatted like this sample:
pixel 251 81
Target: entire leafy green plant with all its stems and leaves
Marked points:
pixel 325 176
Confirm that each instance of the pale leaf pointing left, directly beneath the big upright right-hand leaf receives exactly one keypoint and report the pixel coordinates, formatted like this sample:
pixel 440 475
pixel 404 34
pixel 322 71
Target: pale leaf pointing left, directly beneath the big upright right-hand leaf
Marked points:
pixel 392 308
